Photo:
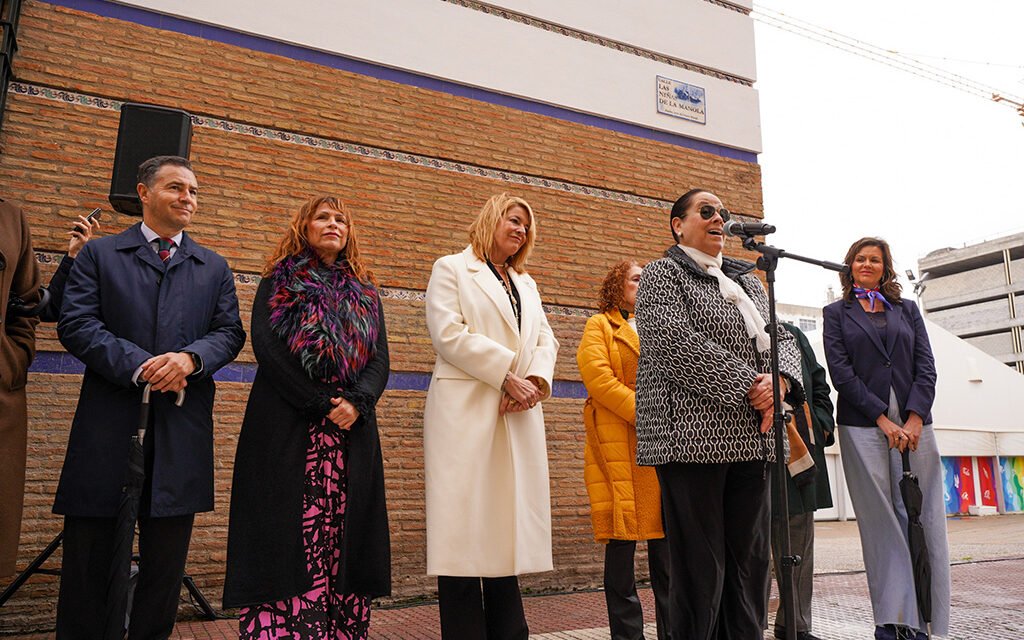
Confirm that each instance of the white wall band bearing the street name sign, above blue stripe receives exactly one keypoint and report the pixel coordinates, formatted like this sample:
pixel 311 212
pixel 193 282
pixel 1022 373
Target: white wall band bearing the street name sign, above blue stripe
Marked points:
pixel 447 41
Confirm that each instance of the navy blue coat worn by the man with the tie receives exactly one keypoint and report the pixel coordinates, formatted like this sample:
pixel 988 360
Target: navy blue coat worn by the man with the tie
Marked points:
pixel 121 307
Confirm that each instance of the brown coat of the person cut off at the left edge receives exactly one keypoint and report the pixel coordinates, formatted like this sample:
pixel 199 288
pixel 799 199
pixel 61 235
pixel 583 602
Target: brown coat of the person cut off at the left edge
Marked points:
pixel 19 279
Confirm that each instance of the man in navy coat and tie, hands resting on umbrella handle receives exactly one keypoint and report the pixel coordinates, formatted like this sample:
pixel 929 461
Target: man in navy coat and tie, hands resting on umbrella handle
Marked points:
pixel 146 306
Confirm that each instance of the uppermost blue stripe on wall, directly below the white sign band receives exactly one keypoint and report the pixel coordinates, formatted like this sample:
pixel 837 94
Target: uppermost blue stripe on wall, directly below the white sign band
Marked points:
pixel 334 61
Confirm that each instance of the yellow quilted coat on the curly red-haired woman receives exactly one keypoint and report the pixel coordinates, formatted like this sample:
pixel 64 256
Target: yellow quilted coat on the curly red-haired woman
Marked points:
pixel 625 499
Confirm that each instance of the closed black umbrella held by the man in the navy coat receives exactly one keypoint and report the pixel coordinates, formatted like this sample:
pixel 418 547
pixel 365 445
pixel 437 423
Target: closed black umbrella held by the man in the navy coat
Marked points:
pixel 124 534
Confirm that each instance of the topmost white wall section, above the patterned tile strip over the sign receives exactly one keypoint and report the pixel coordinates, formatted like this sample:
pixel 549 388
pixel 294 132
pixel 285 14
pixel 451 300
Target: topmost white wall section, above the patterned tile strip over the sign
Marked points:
pixel 695 31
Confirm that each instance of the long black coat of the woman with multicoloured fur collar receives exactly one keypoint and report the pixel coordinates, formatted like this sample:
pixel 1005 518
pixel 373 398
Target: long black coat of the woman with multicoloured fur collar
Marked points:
pixel 266 556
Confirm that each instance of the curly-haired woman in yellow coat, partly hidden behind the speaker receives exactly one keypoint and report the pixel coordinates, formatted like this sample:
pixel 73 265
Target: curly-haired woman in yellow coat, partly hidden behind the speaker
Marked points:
pixel 625 499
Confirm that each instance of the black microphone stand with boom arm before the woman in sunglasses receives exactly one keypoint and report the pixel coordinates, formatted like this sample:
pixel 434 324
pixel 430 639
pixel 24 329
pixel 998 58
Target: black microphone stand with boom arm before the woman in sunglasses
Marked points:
pixel 767 263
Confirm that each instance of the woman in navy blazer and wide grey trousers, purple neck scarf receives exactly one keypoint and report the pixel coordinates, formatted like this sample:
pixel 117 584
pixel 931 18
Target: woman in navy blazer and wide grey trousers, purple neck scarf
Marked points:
pixel 881 363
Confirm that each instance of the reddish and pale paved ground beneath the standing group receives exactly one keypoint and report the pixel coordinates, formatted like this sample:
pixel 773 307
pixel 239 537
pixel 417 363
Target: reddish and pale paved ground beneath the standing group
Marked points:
pixel 988 586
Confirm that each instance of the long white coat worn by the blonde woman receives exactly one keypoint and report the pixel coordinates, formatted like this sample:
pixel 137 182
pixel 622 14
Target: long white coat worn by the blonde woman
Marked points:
pixel 489 503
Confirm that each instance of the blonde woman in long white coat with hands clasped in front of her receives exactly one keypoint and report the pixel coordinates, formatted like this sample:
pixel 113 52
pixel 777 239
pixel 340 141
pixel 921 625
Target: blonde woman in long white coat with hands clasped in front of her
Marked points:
pixel 489 507
